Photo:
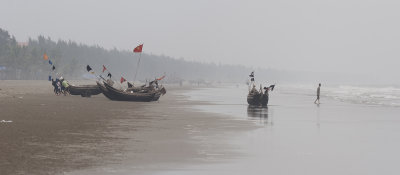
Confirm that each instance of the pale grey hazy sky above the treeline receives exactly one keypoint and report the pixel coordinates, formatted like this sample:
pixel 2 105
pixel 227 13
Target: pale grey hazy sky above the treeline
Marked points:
pixel 361 36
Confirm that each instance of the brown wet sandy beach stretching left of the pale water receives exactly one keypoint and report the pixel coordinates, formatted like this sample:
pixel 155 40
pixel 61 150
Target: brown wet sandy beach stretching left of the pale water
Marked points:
pixel 48 134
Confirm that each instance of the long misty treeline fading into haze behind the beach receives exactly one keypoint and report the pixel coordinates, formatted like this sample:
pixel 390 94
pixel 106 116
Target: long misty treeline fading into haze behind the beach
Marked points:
pixel 24 61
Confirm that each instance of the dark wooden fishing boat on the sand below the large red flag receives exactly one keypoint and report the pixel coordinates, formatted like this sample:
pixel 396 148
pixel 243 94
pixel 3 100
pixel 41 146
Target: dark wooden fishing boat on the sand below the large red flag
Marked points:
pixel 115 94
